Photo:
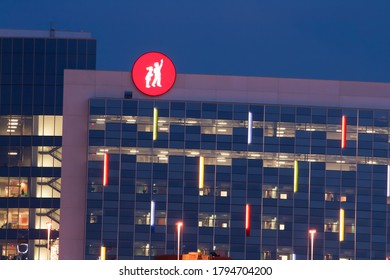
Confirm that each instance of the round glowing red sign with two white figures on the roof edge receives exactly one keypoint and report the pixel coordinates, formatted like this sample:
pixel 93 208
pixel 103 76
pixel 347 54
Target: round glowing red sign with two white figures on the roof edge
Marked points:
pixel 153 73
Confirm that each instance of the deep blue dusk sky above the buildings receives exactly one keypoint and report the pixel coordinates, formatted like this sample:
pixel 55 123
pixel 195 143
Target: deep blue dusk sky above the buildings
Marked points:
pixel 318 39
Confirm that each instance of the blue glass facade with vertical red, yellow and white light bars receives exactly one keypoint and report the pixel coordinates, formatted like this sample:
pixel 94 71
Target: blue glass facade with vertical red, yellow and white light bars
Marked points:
pixel 248 181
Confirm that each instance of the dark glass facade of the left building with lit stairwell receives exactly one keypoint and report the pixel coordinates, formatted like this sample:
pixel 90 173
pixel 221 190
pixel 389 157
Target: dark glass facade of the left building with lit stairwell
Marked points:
pixel 31 91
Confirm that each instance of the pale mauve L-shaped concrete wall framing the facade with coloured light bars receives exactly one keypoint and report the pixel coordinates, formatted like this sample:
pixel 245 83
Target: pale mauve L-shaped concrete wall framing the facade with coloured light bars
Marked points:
pixel 81 85
